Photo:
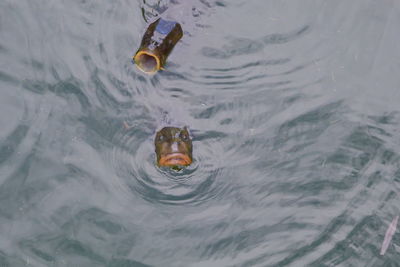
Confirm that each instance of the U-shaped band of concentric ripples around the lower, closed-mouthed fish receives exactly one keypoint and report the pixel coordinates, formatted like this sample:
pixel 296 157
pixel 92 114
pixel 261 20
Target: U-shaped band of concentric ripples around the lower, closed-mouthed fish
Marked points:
pixel 133 158
